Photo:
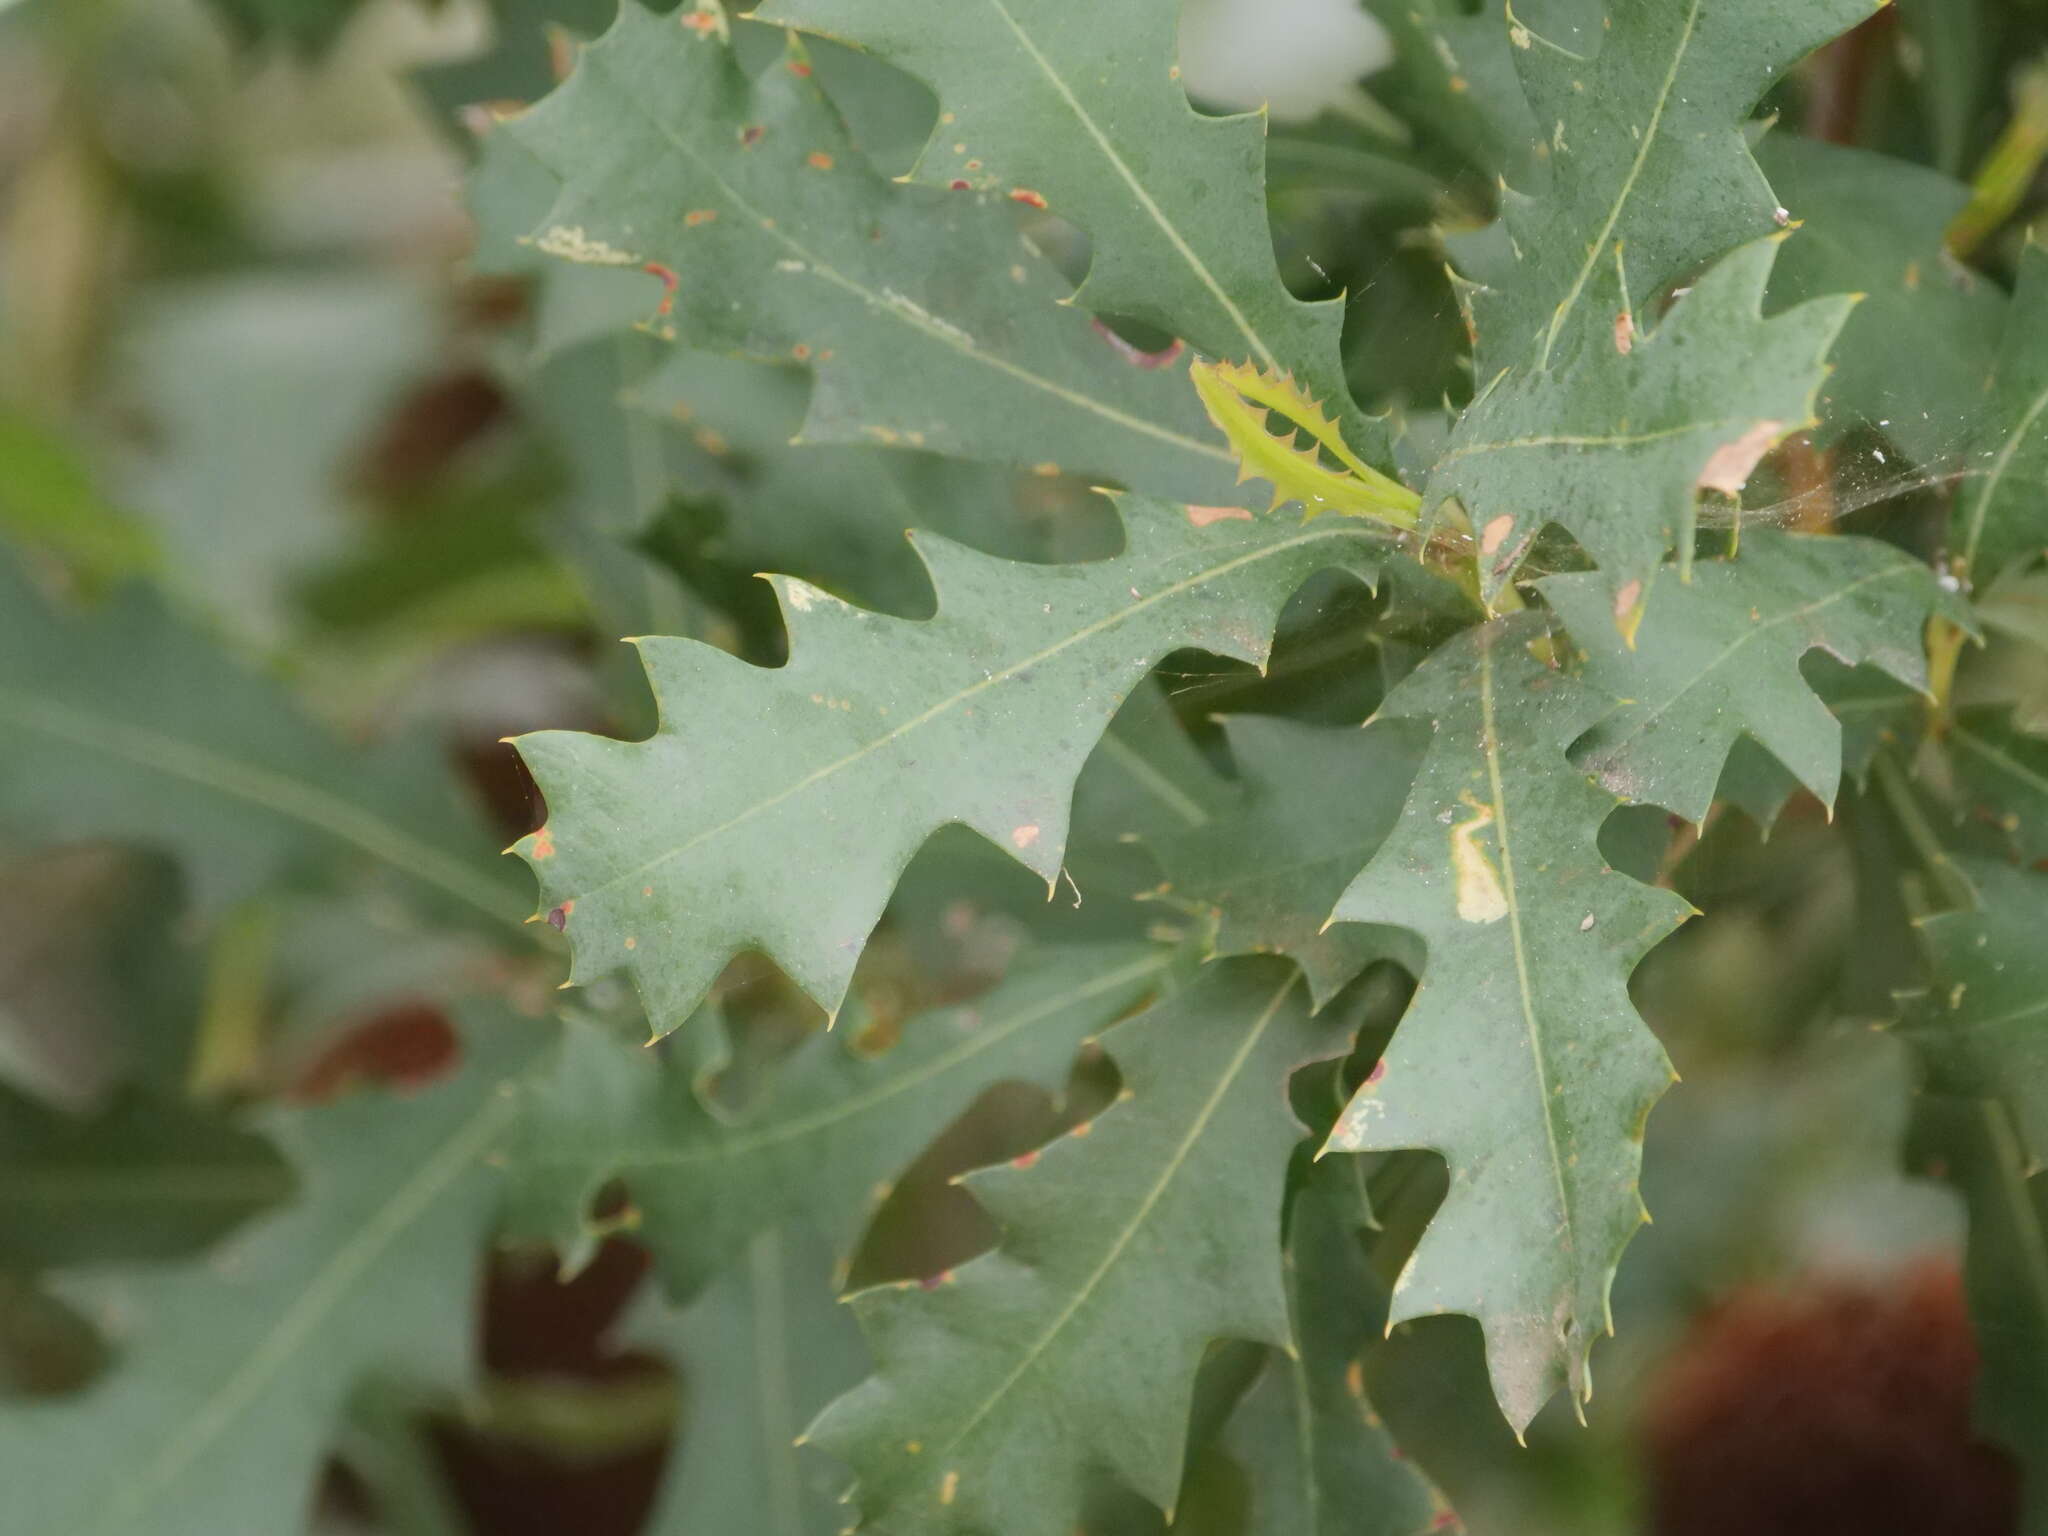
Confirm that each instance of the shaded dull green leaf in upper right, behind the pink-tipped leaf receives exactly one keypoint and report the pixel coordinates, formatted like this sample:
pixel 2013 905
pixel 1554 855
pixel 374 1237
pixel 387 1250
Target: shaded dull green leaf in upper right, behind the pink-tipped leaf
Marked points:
pixel 1914 357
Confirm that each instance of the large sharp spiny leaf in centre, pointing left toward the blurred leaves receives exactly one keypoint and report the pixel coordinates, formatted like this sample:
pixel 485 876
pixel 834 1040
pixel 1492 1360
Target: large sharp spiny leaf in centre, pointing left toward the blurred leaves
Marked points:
pixel 775 810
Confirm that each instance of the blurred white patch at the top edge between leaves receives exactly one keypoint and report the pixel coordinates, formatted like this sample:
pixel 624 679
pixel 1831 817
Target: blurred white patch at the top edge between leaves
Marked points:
pixel 1297 56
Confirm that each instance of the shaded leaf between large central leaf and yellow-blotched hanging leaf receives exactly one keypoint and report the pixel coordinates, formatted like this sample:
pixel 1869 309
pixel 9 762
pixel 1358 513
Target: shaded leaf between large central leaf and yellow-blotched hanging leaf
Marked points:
pixel 1314 810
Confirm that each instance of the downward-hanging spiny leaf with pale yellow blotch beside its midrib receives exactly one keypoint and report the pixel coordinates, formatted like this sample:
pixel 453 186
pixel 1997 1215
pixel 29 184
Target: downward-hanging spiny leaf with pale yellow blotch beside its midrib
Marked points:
pixel 1521 1060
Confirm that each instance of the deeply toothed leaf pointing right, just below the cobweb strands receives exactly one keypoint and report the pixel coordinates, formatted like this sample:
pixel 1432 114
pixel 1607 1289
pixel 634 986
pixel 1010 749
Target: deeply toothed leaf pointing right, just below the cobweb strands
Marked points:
pixel 1721 660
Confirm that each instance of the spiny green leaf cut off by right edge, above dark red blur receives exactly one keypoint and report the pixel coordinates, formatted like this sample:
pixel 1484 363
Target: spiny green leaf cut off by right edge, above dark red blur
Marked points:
pixel 1983 1027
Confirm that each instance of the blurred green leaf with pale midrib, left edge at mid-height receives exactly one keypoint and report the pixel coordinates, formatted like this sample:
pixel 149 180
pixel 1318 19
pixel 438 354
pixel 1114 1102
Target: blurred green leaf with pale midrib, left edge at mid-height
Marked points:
pixel 128 726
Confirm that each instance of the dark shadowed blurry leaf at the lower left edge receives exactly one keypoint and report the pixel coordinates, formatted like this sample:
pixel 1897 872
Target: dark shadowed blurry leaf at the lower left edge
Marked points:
pixel 138 1181
